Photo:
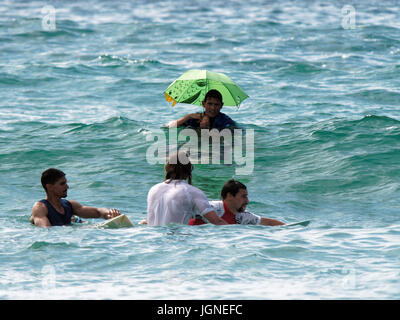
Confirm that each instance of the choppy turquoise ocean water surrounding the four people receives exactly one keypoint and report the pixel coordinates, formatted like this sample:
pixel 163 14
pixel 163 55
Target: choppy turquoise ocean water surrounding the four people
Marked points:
pixel 81 92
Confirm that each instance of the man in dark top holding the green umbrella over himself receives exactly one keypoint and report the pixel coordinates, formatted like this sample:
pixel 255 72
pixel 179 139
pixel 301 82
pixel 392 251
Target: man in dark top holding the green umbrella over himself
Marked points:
pixel 211 118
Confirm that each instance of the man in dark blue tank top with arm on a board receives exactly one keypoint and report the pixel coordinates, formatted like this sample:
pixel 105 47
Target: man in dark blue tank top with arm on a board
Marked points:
pixel 56 211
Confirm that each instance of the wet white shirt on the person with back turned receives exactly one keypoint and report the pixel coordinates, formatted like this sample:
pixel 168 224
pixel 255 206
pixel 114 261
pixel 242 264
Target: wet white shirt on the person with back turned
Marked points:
pixel 175 202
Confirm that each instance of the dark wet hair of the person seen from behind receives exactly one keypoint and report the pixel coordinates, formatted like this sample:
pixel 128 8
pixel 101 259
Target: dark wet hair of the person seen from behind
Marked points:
pixel 178 167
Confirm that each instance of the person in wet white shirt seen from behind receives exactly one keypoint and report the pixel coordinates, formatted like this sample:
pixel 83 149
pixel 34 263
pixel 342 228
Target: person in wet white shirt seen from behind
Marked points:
pixel 175 200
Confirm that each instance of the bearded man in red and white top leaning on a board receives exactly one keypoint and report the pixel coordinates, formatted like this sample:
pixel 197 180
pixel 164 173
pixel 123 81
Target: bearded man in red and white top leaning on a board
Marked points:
pixel 232 208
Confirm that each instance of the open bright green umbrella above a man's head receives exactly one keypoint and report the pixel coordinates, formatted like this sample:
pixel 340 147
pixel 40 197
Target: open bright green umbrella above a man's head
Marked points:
pixel 192 86
